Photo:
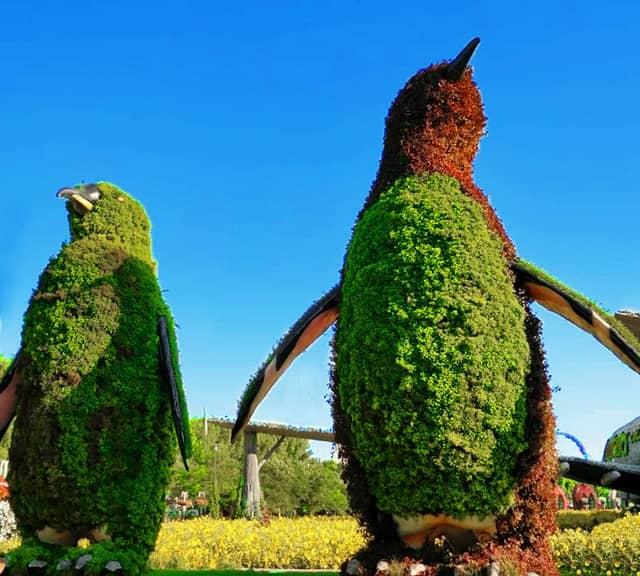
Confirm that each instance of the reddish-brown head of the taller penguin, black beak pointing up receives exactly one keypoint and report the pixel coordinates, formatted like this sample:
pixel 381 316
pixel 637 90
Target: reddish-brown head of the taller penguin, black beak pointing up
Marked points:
pixel 436 121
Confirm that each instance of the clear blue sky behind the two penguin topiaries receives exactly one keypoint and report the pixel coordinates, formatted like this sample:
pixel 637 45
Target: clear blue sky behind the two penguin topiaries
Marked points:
pixel 252 131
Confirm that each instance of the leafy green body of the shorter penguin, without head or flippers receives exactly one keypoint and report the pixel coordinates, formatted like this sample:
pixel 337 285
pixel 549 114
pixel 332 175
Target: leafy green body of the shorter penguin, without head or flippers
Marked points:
pixel 92 443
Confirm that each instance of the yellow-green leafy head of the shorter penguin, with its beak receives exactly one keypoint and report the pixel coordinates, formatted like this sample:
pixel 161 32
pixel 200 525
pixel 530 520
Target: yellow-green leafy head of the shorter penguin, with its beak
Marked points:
pixel 106 212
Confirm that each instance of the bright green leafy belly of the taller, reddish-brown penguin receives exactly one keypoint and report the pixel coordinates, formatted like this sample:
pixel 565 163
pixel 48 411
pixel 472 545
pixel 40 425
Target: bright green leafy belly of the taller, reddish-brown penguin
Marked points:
pixel 431 353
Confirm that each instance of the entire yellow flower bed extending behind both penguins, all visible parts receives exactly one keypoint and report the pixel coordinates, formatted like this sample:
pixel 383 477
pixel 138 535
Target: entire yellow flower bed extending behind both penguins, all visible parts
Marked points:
pixel 611 549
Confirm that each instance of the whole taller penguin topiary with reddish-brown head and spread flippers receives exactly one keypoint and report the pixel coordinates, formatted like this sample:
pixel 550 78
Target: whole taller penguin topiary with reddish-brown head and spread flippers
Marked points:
pixel 441 402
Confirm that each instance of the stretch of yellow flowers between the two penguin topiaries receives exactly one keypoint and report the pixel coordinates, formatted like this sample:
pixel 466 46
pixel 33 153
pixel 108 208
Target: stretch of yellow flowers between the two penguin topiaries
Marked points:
pixel 306 542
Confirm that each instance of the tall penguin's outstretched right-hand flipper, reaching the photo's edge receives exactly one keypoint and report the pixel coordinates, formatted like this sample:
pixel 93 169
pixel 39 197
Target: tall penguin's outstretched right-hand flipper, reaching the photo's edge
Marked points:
pixel 609 331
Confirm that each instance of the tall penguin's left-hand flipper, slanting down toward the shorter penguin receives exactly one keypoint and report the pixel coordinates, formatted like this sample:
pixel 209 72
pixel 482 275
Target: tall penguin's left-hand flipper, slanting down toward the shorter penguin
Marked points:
pixel 309 327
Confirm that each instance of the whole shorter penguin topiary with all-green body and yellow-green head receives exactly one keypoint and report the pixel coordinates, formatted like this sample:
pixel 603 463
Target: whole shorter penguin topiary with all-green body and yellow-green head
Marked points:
pixel 98 393
